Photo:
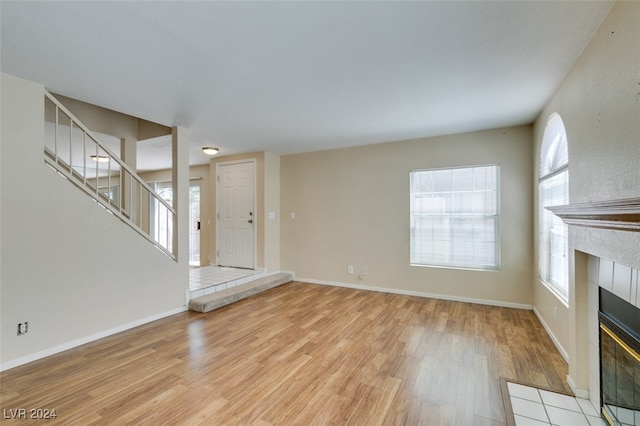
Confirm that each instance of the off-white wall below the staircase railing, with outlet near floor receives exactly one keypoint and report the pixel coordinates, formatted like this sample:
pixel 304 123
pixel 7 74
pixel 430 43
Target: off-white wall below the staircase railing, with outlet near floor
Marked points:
pixel 69 268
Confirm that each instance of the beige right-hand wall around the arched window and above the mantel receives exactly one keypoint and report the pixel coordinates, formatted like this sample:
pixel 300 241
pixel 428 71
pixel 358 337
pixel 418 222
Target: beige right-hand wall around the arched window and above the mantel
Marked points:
pixel 599 102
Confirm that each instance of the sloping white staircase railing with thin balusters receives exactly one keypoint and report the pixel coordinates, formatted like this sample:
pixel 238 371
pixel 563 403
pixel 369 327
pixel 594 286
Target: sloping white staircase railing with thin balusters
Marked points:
pixel 75 153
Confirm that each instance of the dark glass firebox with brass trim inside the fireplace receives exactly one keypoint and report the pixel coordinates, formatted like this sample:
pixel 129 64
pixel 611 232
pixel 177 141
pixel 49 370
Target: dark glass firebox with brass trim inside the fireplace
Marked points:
pixel 619 360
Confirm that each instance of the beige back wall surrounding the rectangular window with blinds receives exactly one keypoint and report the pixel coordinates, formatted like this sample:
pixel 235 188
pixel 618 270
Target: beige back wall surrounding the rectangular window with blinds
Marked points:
pixel 352 208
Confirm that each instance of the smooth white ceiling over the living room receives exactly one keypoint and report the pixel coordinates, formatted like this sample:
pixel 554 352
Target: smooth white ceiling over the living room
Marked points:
pixel 290 77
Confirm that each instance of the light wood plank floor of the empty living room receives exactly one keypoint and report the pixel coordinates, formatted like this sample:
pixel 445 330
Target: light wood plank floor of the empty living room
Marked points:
pixel 299 354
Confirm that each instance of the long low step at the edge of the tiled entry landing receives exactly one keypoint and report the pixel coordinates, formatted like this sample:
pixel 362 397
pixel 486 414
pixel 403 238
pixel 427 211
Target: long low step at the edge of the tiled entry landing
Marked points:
pixel 222 298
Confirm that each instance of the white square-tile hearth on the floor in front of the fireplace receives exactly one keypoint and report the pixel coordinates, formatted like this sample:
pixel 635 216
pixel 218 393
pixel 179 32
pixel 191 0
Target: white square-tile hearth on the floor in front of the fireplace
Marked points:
pixel 538 407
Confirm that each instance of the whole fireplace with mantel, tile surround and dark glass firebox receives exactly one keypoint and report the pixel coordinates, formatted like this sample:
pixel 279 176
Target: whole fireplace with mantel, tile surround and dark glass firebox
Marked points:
pixel 606 305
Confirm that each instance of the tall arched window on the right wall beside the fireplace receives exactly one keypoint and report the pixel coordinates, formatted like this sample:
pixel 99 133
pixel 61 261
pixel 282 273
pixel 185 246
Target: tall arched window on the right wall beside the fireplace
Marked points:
pixel 553 190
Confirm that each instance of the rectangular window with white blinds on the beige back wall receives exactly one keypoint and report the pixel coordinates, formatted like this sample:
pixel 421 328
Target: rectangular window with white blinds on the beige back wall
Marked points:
pixel 454 217
